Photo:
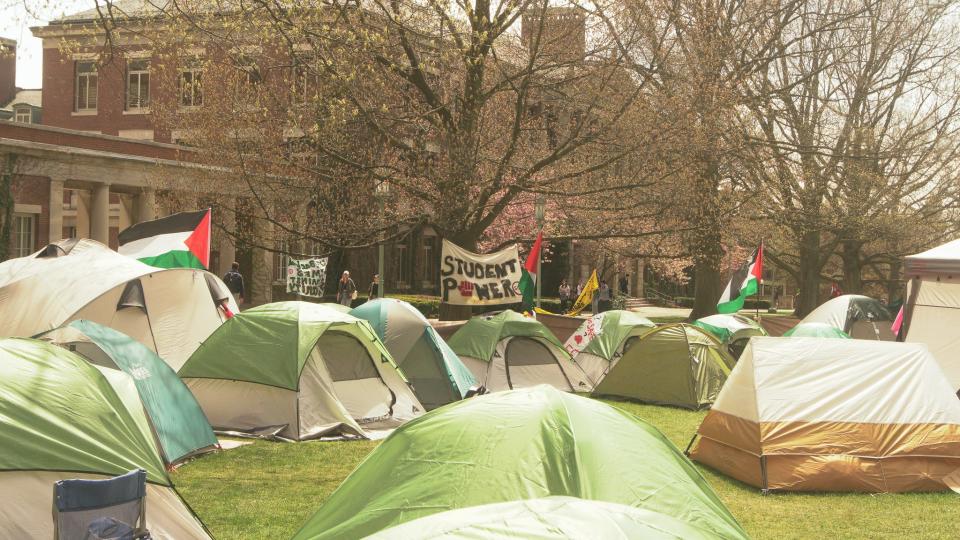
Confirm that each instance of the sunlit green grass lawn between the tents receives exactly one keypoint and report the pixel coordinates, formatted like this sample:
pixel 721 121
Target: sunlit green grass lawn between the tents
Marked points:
pixel 267 490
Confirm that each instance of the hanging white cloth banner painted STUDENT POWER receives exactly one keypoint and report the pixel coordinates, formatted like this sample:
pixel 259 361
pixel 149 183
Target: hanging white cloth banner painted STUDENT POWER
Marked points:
pixel 468 278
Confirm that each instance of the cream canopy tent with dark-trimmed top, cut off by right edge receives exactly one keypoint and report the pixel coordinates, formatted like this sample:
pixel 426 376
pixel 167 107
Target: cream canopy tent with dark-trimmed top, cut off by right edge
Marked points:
pixel 931 311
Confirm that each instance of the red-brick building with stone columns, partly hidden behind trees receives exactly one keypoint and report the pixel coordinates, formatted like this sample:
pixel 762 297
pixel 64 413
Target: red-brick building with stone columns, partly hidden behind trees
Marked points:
pixel 93 103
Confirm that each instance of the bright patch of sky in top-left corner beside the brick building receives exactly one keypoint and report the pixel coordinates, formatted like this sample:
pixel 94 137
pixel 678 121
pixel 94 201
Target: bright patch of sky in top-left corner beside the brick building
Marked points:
pixel 15 22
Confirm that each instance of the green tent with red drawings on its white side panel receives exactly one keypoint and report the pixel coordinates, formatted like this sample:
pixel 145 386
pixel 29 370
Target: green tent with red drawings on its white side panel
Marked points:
pixel 600 340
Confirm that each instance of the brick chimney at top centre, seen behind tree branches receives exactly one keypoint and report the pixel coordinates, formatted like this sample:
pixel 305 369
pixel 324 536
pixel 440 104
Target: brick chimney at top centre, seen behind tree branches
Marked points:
pixel 562 33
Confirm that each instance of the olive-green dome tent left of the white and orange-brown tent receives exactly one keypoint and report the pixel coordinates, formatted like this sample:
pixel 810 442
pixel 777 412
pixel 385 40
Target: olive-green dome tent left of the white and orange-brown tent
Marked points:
pixel 676 364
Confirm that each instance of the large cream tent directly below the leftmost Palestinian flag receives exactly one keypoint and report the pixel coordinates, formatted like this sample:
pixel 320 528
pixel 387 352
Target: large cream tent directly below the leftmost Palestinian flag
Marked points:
pixel 171 311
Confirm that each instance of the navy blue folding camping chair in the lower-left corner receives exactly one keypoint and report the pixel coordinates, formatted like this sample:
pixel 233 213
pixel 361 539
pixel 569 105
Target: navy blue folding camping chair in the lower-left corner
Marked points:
pixel 97 509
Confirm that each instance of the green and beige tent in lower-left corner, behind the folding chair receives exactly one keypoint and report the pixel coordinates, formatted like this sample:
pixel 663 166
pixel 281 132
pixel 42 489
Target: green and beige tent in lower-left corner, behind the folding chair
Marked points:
pixel 63 417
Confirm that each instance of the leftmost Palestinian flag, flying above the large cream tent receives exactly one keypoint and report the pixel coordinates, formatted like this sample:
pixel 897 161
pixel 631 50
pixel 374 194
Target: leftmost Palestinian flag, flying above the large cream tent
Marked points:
pixel 178 241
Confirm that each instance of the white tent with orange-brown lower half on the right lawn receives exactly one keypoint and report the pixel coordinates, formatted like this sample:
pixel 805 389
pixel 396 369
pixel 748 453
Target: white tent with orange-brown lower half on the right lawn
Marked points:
pixel 811 414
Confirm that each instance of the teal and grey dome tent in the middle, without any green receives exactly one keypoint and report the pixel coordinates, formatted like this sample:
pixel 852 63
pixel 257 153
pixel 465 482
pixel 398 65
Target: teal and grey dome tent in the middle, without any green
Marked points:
pixel 436 373
